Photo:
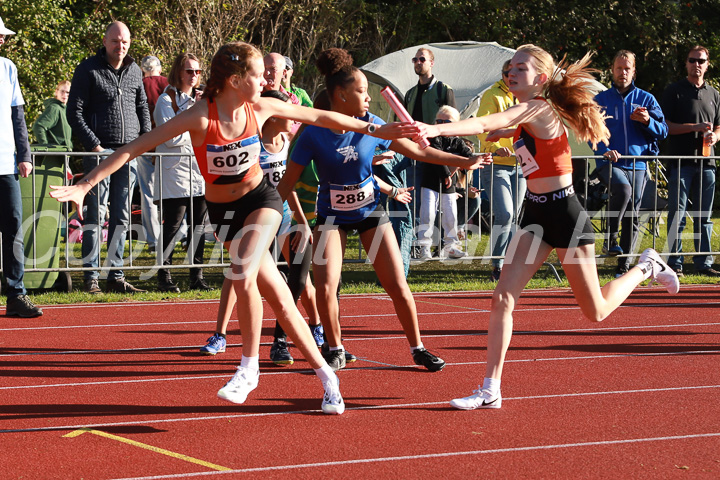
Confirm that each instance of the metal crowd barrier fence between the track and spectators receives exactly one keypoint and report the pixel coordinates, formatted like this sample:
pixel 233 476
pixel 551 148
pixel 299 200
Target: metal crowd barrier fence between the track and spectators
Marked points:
pixel 652 211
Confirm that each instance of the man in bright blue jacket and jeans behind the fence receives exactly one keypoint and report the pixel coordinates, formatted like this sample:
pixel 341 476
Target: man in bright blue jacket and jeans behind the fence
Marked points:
pixel 636 123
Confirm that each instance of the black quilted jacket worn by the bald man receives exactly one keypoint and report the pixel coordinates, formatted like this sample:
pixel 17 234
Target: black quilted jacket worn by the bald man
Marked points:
pixel 107 107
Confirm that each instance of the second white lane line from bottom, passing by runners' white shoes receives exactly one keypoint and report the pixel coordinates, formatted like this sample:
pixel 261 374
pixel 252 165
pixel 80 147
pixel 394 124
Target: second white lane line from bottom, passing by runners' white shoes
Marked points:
pixel 370 407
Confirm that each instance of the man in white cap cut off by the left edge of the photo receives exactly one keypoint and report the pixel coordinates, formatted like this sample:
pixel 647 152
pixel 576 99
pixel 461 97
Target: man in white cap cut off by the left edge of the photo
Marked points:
pixel 14 160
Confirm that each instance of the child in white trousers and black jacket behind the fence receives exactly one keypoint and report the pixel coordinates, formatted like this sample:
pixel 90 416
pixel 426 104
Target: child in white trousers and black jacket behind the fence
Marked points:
pixel 438 192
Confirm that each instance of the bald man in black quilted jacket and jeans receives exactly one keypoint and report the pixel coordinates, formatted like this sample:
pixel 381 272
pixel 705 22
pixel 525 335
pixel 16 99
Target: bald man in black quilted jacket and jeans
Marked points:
pixel 108 108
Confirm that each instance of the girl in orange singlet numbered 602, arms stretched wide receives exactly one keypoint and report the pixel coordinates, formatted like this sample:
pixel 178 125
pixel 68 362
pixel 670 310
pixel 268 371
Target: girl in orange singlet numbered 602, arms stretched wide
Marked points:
pixel 224 129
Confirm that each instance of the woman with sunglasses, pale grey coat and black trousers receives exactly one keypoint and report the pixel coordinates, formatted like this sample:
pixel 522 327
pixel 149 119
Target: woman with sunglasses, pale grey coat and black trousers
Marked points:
pixel 181 178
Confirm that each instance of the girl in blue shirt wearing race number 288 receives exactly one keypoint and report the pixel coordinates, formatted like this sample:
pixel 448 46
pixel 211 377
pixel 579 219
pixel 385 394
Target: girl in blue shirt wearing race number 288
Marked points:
pixel 348 199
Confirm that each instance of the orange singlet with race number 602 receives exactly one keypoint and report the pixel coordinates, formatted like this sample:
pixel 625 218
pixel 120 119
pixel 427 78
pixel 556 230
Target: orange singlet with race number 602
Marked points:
pixel 223 161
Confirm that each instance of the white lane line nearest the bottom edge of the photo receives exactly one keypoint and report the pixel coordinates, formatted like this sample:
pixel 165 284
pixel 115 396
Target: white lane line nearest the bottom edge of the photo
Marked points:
pixel 598 443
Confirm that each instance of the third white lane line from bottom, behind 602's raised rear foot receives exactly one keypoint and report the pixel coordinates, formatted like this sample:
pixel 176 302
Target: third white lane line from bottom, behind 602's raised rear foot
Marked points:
pixel 358 369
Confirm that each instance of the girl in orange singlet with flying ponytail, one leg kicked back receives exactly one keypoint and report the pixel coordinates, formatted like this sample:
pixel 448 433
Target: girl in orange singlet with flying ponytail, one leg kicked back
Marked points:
pixel 554 218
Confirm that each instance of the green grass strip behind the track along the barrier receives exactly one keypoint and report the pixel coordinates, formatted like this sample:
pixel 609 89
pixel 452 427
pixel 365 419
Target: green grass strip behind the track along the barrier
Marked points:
pixel 358 277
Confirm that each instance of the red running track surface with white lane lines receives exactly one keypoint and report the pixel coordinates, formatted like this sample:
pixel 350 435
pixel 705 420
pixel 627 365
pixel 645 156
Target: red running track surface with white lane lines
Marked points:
pixel 119 391
